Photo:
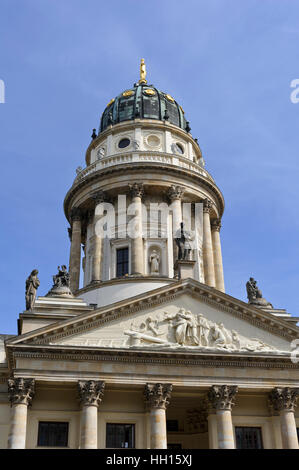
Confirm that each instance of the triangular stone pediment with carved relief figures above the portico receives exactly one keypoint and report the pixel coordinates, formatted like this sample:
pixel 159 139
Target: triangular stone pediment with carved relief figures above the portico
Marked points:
pixel 184 316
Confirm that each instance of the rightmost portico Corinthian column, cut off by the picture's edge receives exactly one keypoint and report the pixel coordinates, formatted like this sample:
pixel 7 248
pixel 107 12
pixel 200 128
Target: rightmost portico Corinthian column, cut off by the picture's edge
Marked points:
pixel 283 402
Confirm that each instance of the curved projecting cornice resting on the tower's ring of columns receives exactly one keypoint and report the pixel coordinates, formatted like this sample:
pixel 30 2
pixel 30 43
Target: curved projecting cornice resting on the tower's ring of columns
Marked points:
pixel 140 167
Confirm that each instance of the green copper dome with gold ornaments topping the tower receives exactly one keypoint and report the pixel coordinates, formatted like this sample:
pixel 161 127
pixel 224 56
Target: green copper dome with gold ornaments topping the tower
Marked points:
pixel 143 101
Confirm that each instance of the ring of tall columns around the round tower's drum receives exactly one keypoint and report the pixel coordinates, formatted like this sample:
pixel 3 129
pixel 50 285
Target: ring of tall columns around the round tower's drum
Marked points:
pixel 211 245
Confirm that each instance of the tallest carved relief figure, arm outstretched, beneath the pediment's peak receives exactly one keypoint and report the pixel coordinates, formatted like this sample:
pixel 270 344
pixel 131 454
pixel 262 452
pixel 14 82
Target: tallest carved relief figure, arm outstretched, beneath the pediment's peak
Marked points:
pixel 185 327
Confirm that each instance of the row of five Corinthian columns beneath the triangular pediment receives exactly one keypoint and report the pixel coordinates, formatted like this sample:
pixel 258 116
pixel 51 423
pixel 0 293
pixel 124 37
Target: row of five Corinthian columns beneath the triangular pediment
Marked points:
pixel 220 400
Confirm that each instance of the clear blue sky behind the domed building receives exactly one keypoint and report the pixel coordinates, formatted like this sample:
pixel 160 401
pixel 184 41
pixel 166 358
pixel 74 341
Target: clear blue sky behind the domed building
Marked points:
pixel 228 63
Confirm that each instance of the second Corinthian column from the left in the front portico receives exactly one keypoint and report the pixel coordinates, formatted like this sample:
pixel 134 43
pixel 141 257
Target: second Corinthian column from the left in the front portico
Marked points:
pixel 90 395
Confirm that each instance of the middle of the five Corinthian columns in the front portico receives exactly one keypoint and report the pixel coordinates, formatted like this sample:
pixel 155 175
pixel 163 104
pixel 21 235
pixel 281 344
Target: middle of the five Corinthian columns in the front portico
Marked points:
pixel 157 398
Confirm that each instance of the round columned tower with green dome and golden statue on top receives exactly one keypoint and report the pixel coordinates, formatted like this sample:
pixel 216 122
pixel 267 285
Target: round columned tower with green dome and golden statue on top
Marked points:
pixel 144 176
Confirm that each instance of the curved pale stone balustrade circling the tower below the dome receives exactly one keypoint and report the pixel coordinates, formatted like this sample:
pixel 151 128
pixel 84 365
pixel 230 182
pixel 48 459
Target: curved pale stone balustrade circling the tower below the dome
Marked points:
pixel 135 157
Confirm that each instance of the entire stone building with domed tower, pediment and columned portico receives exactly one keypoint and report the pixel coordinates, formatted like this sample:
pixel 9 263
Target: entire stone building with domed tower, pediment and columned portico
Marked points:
pixel 150 352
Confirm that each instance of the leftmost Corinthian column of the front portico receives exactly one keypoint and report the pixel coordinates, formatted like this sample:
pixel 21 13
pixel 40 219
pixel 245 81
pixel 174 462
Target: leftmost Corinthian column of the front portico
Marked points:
pixel 21 392
